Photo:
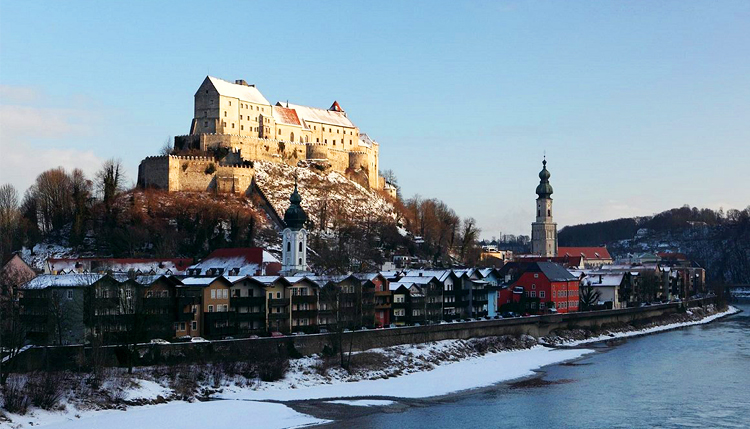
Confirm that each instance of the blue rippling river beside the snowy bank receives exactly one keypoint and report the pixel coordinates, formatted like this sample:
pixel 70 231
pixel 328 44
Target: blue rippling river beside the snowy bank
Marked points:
pixel 691 377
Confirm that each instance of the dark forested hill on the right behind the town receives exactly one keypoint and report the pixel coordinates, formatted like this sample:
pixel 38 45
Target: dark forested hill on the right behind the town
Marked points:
pixel 719 241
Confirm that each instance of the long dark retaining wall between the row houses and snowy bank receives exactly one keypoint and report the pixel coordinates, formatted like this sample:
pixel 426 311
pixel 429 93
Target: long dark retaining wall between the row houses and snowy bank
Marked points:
pixel 74 357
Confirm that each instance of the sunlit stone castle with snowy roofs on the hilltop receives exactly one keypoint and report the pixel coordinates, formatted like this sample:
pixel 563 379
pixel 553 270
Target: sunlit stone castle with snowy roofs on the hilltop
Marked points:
pixel 236 125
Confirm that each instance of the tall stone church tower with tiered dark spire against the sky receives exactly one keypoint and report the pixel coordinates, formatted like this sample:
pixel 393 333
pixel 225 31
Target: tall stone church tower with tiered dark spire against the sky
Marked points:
pixel 544 230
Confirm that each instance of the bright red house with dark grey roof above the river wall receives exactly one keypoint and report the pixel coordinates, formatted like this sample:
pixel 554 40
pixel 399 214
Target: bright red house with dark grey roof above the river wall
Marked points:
pixel 552 284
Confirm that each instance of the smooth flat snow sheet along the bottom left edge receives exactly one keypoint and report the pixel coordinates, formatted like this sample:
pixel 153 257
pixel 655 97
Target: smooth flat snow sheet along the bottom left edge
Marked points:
pixel 183 415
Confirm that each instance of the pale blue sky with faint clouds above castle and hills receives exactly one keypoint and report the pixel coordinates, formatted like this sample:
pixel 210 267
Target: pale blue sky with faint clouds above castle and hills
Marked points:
pixel 639 106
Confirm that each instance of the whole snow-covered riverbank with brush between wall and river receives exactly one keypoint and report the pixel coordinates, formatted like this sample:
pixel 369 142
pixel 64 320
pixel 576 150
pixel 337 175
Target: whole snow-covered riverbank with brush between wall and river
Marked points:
pixel 409 372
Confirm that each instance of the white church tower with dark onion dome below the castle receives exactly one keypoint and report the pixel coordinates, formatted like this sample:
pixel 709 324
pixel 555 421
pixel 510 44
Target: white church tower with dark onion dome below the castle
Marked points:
pixel 294 250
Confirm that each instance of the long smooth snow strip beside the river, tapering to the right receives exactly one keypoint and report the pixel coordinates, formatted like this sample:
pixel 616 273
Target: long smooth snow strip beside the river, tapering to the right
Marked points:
pixel 449 378
